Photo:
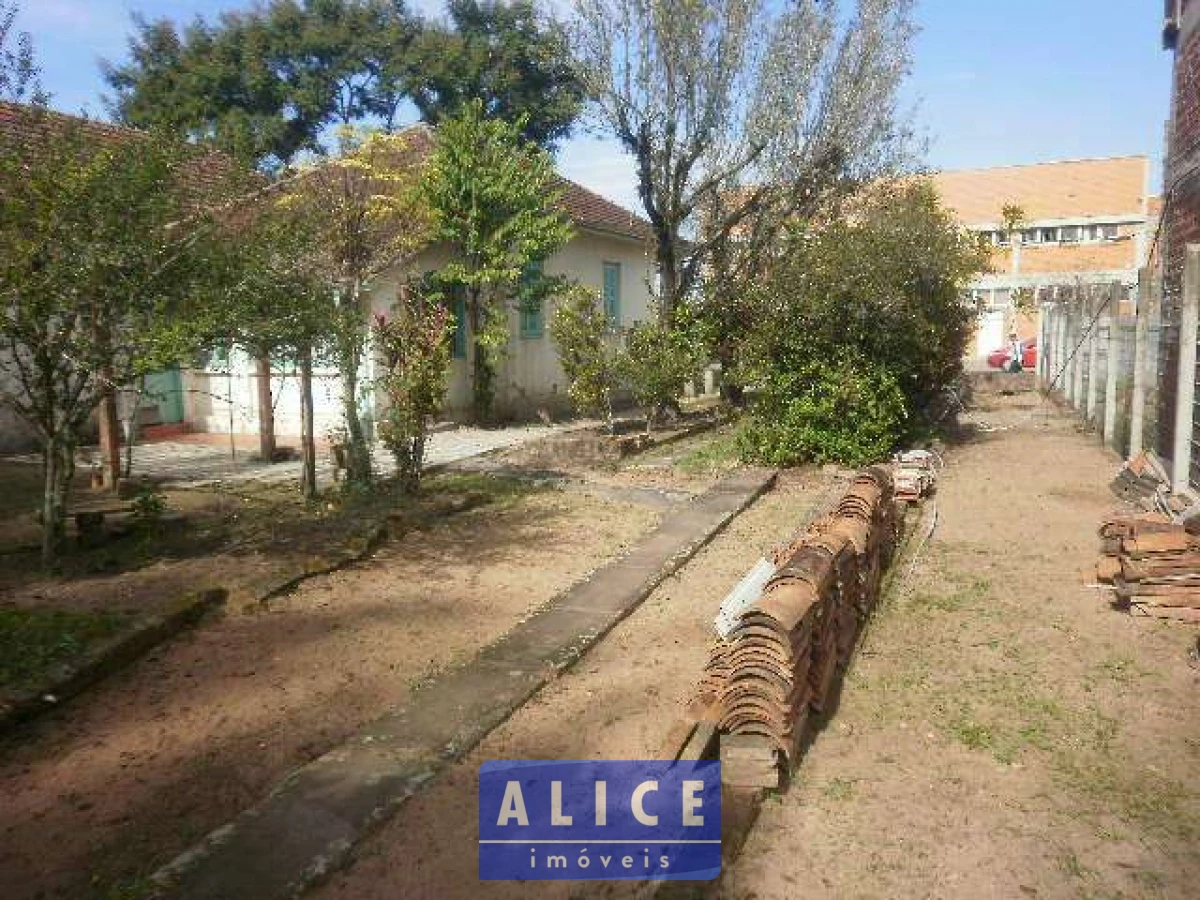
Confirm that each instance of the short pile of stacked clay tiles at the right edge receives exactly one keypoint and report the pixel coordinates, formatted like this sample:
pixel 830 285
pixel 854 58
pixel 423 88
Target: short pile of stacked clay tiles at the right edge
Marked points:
pixel 1154 566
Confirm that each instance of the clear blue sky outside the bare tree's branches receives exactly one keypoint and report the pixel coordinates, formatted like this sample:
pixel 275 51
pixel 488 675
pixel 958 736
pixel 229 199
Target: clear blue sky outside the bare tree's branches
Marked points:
pixel 993 83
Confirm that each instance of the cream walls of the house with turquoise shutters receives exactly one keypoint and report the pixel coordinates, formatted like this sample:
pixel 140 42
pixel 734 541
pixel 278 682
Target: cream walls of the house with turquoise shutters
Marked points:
pixel 530 377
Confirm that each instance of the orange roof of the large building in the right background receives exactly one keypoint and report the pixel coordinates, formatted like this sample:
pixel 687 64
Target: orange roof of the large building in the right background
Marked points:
pixel 1075 189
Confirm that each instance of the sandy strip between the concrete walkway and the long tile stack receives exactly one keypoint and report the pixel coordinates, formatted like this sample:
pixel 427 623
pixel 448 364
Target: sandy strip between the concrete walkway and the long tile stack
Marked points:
pixel 620 703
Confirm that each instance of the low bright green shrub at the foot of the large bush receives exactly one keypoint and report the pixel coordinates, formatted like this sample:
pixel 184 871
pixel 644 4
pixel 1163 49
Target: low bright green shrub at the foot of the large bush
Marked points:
pixel 848 411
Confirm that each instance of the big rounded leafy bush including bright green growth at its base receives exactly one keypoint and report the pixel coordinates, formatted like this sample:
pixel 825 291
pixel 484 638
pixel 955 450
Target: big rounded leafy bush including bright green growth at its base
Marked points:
pixel 873 291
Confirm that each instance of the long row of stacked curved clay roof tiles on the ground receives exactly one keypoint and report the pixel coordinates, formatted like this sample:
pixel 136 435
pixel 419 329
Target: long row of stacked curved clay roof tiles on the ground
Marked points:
pixel 783 656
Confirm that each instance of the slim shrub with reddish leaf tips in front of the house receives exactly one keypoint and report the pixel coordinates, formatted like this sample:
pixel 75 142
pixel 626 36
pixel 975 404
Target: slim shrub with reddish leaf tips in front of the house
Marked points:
pixel 415 351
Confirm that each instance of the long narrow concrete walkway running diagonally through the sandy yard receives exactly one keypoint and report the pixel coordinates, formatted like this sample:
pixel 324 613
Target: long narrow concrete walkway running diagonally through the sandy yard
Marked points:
pixel 310 823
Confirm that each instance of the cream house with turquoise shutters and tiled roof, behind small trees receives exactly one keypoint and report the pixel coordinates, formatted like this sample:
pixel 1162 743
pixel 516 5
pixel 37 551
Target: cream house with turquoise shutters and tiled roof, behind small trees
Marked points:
pixel 609 253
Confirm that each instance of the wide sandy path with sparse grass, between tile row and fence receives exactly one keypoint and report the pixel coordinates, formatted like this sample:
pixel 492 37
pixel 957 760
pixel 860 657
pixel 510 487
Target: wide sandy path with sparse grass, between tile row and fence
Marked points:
pixel 1004 734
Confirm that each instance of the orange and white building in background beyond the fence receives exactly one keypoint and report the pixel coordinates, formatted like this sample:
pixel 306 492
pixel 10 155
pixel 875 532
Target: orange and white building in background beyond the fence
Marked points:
pixel 1084 220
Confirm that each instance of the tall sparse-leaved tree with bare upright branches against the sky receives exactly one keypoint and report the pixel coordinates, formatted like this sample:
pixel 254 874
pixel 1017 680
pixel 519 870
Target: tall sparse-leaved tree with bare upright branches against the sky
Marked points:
pixel 736 109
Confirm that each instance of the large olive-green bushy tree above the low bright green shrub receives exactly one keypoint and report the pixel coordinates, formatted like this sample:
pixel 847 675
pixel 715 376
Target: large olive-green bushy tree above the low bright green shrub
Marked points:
pixel 881 283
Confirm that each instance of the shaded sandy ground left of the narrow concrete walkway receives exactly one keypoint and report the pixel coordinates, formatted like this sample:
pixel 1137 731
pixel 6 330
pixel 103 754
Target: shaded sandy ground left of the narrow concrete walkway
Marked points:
pixel 119 782
